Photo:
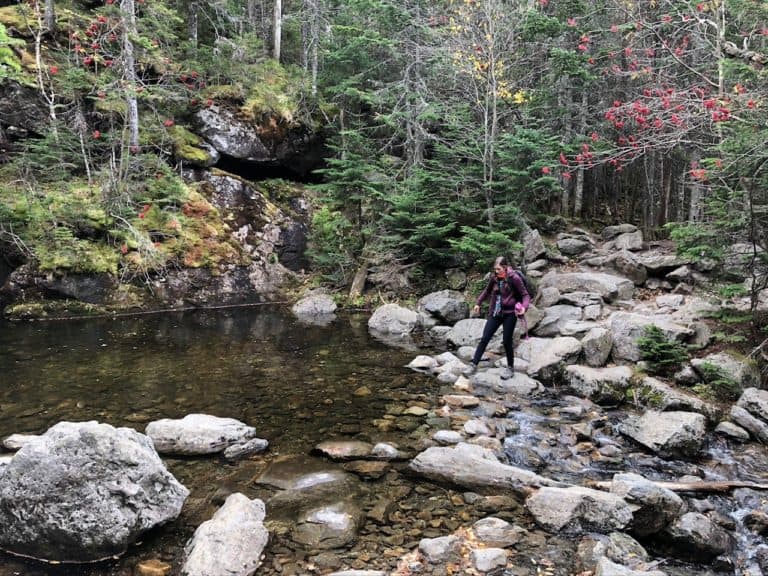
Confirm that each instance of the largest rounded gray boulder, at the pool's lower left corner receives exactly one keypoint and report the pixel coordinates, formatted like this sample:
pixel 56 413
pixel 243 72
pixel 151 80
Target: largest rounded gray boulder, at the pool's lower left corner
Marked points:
pixel 84 492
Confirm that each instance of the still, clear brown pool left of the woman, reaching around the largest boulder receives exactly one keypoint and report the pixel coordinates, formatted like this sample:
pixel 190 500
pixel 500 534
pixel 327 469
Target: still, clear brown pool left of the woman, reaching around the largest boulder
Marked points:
pixel 294 382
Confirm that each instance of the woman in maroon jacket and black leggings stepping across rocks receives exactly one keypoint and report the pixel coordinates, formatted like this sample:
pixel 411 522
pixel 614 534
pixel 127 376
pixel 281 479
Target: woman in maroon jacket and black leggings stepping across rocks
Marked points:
pixel 508 299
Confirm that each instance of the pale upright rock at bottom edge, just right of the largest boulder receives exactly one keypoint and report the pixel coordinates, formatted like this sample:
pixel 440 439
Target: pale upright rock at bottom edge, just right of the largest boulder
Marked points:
pixel 230 543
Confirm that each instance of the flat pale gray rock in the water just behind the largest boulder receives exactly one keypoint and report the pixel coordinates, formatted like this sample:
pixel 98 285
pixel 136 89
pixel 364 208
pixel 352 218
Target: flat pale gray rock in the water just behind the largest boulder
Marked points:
pixel 197 434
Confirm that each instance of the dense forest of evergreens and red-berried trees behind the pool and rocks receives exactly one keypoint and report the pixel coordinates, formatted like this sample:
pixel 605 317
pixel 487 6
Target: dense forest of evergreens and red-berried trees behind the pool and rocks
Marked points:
pixel 449 124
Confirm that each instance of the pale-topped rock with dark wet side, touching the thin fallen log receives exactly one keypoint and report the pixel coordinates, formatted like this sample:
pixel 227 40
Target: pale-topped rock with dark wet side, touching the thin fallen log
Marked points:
pixel 653 507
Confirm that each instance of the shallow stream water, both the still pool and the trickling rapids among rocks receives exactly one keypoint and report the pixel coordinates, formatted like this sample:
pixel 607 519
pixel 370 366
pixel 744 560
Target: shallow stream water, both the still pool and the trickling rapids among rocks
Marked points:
pixel 299 384
